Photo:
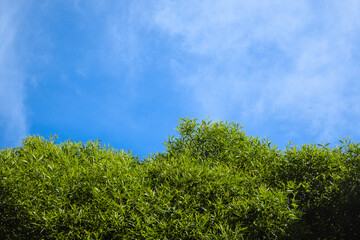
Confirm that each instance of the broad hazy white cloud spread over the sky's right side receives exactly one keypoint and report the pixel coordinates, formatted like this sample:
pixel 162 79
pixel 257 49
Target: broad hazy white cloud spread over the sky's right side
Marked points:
pixel 286 61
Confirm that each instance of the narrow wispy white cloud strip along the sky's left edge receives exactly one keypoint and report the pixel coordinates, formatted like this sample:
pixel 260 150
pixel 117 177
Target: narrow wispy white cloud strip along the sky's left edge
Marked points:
pixel 13 124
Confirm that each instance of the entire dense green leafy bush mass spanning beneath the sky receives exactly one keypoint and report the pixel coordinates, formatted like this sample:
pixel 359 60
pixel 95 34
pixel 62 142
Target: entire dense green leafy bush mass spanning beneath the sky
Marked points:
pixel 212 182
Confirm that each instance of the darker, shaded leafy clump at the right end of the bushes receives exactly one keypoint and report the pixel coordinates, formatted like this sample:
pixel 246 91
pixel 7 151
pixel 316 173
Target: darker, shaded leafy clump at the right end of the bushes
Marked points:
pixel 326 184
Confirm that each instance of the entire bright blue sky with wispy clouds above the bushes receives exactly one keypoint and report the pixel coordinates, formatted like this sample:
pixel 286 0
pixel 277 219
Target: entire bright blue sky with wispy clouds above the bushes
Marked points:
pixel 125 71
